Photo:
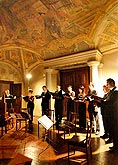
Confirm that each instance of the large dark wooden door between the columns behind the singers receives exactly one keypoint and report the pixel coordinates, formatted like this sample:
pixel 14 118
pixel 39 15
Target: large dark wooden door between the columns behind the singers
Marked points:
pixel 74 77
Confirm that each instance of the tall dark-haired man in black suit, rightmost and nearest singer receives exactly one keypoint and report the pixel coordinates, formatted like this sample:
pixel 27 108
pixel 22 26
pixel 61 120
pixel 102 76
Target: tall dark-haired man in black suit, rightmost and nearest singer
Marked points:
pixel 111 103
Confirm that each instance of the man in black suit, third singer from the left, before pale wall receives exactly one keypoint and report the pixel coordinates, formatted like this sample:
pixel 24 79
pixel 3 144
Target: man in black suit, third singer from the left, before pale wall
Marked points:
pixel 45 100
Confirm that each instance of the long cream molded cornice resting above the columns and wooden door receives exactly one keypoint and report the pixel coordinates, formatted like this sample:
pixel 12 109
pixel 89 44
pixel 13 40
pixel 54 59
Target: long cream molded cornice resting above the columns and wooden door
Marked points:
pixel 75 59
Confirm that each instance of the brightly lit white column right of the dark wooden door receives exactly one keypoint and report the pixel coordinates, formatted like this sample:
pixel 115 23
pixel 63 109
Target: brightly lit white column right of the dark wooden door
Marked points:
pixel 94 77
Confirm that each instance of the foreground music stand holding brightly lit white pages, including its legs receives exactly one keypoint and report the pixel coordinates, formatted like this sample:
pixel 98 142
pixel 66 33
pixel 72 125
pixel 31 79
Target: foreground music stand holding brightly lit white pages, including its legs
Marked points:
pixel 47 124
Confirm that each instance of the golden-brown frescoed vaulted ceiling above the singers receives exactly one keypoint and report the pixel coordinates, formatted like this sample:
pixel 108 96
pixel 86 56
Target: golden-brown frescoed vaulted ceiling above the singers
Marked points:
pixel 33 31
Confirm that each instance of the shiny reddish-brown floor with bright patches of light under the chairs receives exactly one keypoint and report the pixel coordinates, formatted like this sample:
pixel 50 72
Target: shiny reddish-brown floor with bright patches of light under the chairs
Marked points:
pixel 50 151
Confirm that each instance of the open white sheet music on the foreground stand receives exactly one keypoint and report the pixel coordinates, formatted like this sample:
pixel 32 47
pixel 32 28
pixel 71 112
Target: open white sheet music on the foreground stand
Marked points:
pixel 45 121
